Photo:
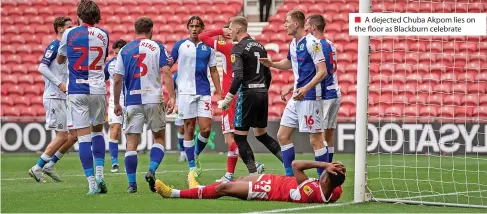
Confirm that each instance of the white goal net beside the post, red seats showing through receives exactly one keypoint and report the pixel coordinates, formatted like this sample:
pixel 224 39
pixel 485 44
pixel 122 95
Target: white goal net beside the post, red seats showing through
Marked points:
pixel 427 112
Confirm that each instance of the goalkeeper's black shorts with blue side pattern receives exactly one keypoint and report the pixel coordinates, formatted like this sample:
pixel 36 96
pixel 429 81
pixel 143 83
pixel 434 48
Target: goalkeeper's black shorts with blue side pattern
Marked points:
pixel 251 110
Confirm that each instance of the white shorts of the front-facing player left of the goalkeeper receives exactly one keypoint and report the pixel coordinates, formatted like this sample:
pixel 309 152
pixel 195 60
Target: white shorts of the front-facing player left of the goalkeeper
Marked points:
pixel 193 106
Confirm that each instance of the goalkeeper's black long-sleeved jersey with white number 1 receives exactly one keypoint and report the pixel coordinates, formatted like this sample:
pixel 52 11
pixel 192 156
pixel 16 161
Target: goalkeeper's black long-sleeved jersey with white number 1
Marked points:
pixel 247 70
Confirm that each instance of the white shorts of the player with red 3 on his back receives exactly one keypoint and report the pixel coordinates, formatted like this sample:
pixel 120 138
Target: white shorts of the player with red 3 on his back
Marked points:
pixel 154 114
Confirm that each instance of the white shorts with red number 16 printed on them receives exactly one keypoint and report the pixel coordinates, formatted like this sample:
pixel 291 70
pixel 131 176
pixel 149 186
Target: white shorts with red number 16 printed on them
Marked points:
pixel 306 115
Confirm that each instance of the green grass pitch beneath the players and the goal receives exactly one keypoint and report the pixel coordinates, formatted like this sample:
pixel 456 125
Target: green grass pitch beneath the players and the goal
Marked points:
pixel 20 193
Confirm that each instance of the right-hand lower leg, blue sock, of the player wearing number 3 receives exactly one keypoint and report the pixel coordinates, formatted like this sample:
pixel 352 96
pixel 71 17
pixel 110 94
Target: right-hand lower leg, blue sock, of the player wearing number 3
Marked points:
pixel 156 156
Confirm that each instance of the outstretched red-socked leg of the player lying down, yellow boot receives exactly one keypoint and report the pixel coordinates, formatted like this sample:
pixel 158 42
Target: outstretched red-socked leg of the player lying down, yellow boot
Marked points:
pixel 233 189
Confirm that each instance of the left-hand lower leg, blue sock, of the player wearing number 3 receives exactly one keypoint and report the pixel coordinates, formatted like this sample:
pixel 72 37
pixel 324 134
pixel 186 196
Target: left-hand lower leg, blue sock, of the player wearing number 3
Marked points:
pixel 131 161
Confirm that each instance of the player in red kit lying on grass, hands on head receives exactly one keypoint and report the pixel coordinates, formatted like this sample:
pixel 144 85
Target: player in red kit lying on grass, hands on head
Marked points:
pixel 269 187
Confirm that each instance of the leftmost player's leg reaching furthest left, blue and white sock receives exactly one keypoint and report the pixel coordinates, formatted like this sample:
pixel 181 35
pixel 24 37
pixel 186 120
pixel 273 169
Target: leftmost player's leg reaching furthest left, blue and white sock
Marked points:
pixel 36 171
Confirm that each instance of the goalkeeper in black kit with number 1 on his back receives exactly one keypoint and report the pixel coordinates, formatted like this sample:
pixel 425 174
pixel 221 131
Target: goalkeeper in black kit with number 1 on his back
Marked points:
pixel 253 79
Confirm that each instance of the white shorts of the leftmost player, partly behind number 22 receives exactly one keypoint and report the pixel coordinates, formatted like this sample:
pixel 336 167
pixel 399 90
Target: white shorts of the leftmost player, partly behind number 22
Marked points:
pixel 56 118
